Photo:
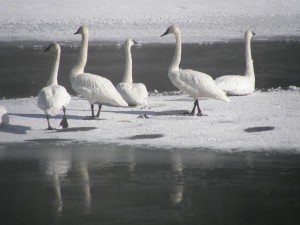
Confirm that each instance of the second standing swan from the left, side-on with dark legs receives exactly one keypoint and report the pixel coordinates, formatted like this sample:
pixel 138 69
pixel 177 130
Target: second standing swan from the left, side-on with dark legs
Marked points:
pixel 94 88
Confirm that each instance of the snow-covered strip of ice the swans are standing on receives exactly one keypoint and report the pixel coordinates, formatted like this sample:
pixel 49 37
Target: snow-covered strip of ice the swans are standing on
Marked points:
pixel 261 121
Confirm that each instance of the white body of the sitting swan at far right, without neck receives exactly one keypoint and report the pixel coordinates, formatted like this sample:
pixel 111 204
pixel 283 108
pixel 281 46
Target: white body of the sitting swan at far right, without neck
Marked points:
pixel 235 84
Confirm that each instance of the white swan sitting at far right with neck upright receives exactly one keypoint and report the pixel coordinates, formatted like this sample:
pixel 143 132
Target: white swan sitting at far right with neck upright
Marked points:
pixel 237 84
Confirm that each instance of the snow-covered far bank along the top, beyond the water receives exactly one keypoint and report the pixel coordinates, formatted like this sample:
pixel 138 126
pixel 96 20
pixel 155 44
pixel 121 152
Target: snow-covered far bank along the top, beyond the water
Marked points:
pixel 145 21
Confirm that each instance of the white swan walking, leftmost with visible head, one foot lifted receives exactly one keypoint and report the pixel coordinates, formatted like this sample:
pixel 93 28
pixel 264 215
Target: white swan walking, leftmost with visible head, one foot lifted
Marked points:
pixel 53 97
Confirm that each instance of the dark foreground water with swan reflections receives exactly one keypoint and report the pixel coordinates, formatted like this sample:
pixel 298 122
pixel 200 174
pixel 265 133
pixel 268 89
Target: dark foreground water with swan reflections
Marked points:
pixel 94 184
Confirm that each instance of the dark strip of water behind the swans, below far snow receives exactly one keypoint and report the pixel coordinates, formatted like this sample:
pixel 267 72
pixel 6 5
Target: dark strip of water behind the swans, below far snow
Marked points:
pixel 24 72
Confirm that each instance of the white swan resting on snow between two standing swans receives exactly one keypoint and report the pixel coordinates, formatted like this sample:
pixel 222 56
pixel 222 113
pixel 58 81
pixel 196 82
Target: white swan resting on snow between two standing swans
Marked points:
pixel 133 93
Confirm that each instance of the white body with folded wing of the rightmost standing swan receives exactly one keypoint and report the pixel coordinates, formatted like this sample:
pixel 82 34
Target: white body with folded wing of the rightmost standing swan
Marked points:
pixel 198 84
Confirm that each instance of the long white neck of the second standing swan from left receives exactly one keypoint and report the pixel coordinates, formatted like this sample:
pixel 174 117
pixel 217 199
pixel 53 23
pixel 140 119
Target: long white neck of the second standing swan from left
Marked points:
pixel 82 59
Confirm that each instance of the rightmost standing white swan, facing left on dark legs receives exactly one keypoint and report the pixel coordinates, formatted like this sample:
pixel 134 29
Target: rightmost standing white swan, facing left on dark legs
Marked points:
pixel 192 82
